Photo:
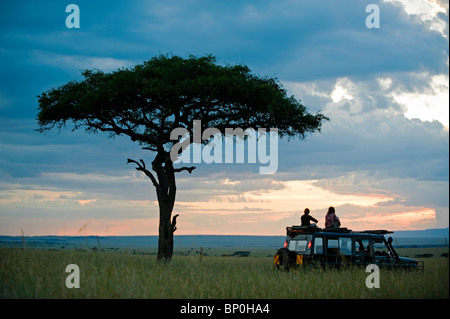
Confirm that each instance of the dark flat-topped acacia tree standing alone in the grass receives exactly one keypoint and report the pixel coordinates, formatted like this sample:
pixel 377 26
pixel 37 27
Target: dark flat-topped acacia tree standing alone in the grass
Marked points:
pixel 148 101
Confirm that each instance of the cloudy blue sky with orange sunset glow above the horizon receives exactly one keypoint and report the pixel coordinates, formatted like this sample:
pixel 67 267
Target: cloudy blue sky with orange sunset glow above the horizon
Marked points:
pixel 382 160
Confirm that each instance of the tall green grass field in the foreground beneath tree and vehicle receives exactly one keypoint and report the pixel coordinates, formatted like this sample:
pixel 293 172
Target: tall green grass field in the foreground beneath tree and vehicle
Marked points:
pixel 37 273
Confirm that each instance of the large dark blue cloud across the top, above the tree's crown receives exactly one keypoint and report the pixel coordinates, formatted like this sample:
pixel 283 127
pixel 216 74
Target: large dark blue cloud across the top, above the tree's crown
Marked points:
pixel 296 40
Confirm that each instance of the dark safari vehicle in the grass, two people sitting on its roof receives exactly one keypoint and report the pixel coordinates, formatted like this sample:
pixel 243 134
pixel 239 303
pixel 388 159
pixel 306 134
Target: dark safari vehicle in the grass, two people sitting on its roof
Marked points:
pixel 311 246
